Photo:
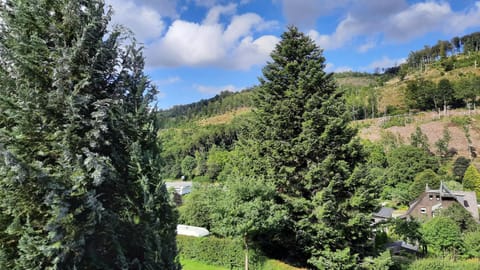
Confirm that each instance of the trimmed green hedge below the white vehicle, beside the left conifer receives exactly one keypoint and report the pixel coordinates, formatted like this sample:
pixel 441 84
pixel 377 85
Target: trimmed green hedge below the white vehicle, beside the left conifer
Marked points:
pixel 225 252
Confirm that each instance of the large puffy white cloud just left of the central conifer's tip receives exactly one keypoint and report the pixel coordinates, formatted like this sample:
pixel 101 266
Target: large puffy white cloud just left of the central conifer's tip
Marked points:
pixel 212 43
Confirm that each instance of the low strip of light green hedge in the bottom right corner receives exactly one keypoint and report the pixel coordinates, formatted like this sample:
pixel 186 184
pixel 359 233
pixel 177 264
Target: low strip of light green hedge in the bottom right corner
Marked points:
pixel 445 264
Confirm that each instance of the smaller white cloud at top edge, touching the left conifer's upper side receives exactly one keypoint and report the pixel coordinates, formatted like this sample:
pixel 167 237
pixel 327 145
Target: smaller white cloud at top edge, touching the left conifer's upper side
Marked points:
pixel 144 21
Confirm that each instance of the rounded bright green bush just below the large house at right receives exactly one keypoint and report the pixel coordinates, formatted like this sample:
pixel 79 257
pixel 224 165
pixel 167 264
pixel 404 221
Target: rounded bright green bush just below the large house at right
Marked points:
pixel 442 235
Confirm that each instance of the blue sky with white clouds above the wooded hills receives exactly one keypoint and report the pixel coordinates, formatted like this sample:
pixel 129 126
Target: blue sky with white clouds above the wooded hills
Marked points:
pixel 194 49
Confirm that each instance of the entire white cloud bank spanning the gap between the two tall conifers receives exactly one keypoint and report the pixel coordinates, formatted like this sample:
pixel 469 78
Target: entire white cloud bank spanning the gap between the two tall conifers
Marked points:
pixel 223 39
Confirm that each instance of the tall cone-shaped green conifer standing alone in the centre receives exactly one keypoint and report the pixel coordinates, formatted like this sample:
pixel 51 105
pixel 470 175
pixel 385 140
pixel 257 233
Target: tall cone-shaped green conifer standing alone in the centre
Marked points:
pixel 304 145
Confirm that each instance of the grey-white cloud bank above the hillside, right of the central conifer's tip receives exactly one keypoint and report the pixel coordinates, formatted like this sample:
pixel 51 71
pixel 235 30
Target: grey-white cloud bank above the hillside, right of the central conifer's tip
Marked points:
pixel 395 21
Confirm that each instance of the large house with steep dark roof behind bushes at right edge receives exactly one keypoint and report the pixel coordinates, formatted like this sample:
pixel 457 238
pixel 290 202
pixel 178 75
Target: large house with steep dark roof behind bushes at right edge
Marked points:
pixel 432 200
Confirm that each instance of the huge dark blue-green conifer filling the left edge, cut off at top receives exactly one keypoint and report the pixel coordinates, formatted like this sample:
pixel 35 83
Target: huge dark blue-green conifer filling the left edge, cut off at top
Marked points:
pixel 79 174
